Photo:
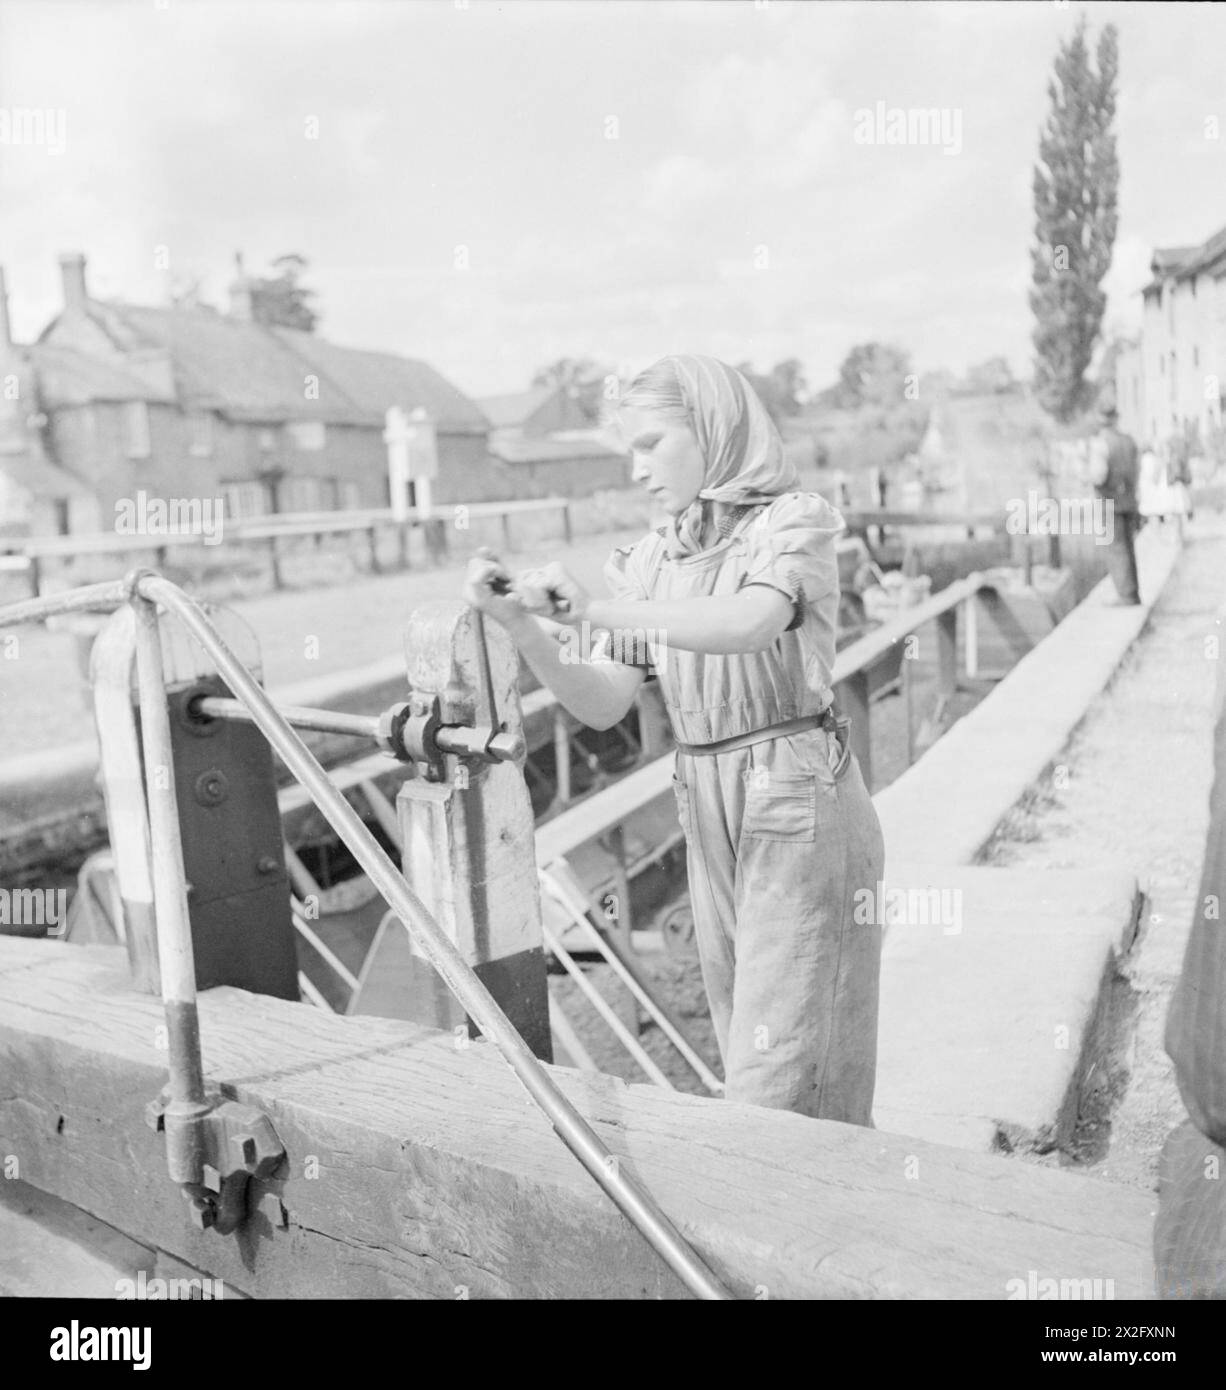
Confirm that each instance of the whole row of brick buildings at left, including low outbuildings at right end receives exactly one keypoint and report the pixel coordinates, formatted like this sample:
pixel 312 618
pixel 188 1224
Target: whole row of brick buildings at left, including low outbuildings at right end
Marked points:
pixel 191 402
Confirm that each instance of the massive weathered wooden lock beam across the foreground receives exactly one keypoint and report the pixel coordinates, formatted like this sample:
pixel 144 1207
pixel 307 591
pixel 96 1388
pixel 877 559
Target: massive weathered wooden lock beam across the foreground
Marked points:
pixel 418 1168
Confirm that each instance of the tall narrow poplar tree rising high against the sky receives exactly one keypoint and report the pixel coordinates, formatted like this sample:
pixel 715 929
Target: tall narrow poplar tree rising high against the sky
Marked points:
pixel 1077 183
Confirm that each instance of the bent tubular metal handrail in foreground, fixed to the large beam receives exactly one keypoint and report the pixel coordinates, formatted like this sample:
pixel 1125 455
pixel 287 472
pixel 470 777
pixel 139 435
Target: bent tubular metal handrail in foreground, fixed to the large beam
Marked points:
pixel 145 590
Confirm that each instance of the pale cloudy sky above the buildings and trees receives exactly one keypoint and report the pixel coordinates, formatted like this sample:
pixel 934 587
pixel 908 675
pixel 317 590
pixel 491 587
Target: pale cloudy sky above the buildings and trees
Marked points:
pixel 490 186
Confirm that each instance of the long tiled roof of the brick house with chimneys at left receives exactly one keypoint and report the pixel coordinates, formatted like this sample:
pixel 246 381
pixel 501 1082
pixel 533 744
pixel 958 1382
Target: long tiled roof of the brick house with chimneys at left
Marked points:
pixel 248 372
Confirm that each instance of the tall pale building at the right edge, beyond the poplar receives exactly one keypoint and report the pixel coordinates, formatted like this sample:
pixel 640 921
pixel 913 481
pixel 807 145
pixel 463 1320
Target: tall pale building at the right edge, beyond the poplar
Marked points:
pixel 1174 379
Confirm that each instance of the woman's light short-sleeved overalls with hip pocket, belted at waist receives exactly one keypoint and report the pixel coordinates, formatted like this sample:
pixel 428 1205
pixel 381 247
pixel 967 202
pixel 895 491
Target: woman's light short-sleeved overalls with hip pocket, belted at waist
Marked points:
pixel 782 836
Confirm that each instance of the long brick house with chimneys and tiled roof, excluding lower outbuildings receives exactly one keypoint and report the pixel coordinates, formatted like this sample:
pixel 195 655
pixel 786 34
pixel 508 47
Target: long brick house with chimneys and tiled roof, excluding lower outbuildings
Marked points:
pixel 191 402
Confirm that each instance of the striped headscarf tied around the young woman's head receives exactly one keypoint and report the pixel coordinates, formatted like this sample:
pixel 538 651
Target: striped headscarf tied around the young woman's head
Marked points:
pixel 743 450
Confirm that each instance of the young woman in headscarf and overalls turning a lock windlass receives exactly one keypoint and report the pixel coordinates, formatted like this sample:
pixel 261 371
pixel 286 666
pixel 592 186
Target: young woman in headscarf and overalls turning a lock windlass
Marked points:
pixel 742 587
